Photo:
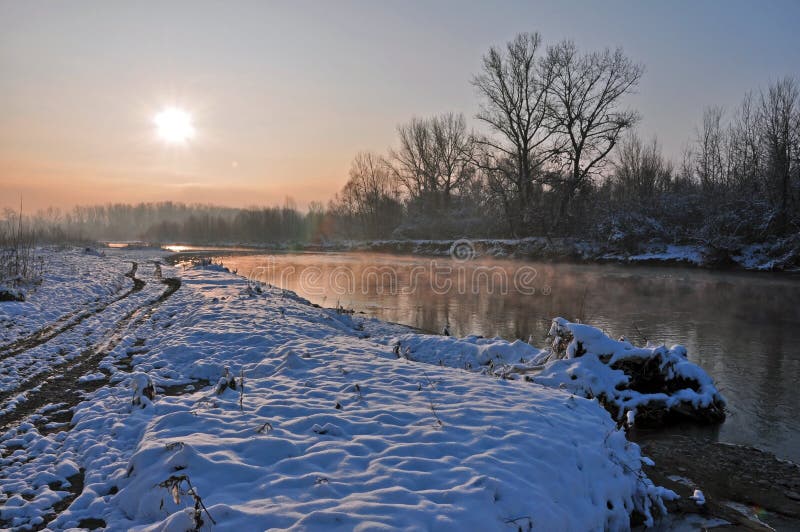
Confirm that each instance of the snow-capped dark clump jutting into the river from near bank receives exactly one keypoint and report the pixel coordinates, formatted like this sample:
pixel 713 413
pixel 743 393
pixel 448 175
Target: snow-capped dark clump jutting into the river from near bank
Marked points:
pixel 656 384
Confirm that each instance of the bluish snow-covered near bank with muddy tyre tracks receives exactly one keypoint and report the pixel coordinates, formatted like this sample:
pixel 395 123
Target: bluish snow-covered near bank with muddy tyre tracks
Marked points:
pixel 334 430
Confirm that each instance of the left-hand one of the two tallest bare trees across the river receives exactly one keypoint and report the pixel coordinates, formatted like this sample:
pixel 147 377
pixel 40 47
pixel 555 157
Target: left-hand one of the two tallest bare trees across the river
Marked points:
pixel 514 84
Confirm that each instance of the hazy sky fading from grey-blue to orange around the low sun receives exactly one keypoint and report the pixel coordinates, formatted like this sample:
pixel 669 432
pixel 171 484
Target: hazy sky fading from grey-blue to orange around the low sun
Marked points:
pixel 284 94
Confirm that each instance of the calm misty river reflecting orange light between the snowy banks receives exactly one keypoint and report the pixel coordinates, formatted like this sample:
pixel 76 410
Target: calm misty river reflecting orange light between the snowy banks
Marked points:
pixel 742 327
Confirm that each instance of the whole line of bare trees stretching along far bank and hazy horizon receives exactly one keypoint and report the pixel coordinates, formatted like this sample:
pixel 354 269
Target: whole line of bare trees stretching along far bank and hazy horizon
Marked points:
pixel 557 155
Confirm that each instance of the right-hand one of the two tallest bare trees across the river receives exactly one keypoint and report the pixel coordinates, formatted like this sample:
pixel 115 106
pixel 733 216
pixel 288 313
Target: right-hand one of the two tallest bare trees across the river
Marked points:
pixel 585 102
